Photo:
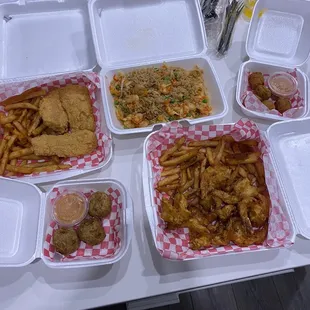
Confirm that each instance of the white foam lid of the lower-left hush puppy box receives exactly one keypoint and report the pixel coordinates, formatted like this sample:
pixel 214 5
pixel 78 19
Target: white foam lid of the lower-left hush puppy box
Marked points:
pixel 21 220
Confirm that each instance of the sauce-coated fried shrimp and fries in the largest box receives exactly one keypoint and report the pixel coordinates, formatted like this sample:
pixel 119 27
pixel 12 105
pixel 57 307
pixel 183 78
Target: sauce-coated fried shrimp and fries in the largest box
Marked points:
pixel 217 190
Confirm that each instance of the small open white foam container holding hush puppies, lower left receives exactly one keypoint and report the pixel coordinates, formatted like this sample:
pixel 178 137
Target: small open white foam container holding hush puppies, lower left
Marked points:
pixel 25 218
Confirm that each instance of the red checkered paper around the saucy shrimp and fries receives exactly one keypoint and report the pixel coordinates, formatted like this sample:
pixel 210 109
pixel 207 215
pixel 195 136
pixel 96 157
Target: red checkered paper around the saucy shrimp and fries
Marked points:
pixel 174 244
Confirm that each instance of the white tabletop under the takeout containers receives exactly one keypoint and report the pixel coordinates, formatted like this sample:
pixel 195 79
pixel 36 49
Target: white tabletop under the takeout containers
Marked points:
pixel 142 273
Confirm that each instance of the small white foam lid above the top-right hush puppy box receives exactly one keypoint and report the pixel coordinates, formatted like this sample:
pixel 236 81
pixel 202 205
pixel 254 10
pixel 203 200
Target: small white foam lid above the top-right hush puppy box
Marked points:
pixel 278 32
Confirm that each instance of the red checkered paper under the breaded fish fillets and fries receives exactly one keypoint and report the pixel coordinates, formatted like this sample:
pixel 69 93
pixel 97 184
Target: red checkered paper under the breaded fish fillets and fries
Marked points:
pixel 92 82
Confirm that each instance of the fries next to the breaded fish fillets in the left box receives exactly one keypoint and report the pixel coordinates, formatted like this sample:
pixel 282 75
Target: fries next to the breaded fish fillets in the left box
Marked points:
pixel 20 122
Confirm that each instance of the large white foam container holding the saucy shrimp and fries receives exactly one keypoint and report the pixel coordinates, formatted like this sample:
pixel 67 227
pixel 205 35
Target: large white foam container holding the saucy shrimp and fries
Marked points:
pixel 289 150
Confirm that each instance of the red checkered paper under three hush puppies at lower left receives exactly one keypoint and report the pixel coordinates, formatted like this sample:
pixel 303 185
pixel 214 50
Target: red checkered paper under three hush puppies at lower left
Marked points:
pixel 108 248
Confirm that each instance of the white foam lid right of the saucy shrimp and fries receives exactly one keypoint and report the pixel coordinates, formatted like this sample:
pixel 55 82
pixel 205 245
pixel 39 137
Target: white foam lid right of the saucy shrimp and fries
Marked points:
pixel 290 146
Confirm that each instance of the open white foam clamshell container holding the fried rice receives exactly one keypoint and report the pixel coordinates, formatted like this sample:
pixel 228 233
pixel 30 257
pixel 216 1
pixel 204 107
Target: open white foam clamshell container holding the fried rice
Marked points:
pixel 129 35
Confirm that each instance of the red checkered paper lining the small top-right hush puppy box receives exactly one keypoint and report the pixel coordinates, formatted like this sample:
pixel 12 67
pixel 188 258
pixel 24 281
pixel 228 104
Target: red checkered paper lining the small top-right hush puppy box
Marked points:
pixel 252 103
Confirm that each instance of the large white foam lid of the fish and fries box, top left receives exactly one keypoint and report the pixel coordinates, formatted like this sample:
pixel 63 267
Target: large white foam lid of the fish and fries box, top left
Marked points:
pixel 45 37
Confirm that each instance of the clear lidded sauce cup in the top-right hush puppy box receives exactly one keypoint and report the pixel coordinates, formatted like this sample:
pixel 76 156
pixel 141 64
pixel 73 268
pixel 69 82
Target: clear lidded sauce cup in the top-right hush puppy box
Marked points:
pixel 282 84
